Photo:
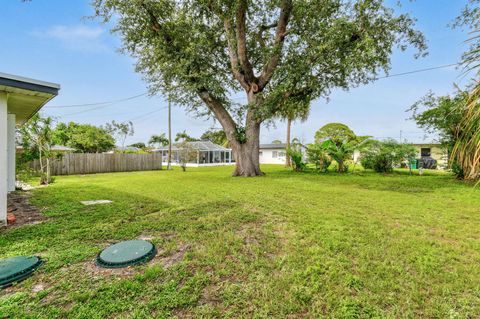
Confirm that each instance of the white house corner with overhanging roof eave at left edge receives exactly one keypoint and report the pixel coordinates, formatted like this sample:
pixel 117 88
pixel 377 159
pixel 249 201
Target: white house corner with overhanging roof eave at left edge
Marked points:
pixel 20 99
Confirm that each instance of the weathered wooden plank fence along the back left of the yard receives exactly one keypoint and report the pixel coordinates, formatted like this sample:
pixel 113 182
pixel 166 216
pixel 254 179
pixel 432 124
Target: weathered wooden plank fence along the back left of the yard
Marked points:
pixel 83 163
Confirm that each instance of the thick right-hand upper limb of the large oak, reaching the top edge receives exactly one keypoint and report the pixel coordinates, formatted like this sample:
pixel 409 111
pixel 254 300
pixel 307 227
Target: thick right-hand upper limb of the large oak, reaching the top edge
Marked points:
pixel 268 69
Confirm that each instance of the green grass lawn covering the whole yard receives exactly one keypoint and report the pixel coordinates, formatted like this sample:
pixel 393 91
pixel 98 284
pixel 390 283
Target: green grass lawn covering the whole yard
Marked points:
pixel 286 245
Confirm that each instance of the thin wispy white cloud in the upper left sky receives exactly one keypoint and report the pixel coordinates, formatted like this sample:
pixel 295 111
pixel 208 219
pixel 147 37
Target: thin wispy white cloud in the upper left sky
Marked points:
pixel 79 37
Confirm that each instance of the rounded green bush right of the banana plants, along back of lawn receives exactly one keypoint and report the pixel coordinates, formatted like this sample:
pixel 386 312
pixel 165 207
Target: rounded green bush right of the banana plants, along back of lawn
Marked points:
pixel 384 156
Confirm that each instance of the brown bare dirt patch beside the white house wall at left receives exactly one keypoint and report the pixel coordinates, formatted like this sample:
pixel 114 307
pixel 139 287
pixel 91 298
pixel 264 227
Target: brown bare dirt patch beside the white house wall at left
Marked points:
pixel 25 213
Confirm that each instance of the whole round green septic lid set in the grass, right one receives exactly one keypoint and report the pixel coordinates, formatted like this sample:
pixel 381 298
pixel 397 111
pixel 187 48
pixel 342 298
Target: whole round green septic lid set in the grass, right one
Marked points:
pixel 126 253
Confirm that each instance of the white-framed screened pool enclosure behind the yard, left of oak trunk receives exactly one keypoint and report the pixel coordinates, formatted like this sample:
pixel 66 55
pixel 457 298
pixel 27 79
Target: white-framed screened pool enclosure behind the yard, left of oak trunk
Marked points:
pixel 208 154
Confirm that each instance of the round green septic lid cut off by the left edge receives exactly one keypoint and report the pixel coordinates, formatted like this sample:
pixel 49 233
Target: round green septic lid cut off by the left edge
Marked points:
pixel 17 268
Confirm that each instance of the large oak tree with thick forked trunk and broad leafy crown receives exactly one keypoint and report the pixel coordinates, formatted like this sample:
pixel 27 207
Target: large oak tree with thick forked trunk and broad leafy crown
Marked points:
pixel 277 52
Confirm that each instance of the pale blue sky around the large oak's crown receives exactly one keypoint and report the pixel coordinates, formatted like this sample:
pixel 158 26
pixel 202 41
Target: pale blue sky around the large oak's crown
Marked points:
pixel 53 41
